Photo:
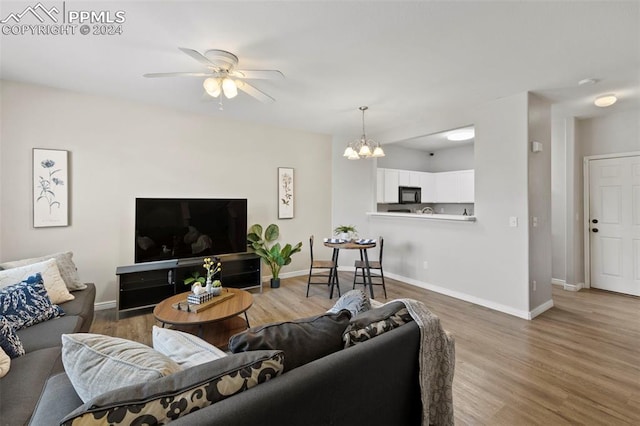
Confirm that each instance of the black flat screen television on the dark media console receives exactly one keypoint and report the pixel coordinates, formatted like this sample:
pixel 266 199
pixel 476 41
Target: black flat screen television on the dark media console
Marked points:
pixel 175 228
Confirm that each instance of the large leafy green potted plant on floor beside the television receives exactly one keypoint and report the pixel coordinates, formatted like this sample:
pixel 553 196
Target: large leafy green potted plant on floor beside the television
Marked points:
pixel 273 254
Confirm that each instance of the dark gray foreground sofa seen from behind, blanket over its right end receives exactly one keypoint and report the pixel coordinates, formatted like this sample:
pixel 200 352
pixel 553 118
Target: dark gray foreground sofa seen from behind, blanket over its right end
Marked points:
pixel 373 383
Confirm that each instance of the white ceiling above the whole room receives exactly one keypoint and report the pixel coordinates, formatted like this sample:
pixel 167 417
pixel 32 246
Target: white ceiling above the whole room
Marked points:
pixel 404 59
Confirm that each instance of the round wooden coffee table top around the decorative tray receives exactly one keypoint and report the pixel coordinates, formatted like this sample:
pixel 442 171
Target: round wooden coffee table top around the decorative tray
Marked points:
pixel 239 303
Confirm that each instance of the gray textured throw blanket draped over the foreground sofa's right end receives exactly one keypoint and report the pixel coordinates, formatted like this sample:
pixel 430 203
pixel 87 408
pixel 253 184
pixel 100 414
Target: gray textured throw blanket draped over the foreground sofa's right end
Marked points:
pixel 437 361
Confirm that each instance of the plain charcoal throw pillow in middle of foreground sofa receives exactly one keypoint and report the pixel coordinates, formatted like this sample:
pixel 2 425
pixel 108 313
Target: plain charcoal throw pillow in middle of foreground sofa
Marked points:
pixel 302 341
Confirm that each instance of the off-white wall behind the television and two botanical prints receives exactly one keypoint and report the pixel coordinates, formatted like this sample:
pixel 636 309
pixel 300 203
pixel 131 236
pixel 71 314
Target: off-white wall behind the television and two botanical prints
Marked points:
pixel 121 150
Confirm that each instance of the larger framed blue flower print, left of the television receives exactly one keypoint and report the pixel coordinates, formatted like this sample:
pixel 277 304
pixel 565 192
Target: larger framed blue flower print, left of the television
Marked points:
pixel 50 188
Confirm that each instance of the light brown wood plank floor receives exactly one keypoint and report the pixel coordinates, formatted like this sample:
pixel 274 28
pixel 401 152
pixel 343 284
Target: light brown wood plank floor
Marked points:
pixel 578 363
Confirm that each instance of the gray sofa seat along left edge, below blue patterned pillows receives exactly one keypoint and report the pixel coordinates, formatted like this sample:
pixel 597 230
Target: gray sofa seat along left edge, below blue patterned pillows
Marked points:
pixel 20 389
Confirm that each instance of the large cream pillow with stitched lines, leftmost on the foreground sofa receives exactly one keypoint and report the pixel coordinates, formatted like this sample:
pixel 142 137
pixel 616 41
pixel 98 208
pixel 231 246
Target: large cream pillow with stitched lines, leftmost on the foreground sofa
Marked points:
pixel 97 364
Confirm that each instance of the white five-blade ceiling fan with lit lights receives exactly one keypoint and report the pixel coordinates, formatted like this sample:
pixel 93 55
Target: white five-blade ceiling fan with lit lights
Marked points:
pixel 222 75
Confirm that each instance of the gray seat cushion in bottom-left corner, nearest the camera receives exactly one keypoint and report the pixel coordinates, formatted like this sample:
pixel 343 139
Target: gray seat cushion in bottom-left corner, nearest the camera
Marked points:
pixel 21 388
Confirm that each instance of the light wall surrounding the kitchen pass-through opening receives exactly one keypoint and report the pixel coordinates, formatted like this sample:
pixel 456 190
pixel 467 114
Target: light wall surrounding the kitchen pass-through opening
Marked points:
pixel 487 261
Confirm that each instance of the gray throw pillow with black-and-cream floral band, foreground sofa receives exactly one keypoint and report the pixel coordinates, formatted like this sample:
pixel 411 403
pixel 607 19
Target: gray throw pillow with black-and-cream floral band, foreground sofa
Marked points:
pixel 163 400
